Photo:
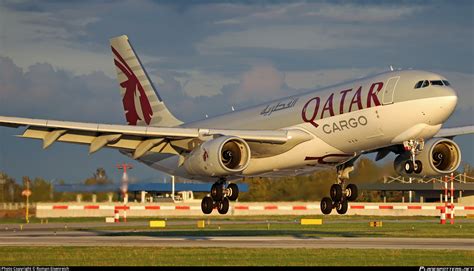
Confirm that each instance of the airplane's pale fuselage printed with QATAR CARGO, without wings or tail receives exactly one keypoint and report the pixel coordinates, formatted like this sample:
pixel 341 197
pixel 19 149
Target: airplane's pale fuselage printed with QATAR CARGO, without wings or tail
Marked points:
pixel 344 120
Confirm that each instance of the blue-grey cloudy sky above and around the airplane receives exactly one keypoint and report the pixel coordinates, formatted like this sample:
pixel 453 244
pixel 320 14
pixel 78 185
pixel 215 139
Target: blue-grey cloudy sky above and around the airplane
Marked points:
pixel 207 56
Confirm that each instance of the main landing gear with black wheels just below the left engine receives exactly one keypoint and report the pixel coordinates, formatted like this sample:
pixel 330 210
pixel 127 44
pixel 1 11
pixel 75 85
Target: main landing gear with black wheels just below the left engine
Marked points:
pixel 219 197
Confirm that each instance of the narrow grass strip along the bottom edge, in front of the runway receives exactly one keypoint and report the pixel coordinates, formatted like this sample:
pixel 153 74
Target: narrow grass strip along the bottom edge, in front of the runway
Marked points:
pixel 74 256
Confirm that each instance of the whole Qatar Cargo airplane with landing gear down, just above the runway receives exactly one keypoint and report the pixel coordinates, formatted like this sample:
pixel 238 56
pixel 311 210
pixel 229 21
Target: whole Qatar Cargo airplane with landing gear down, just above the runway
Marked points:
pixel 398 111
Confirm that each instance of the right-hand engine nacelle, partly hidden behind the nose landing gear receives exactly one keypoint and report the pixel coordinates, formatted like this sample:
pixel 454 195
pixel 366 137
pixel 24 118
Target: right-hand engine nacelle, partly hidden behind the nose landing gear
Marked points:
pixel 439 156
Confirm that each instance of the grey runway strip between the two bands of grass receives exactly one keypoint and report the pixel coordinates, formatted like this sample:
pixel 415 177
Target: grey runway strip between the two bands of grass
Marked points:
pixel 115 238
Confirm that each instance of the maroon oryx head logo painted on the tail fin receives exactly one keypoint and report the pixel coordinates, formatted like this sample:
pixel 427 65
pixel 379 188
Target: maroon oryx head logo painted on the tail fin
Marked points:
pixel 135 102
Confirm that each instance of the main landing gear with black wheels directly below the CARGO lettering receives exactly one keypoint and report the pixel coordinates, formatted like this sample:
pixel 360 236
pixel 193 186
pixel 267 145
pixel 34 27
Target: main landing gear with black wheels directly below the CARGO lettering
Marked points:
pixel 340 194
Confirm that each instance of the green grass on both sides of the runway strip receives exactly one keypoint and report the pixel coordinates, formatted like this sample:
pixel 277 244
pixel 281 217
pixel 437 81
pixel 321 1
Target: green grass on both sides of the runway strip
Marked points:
pixel 333 226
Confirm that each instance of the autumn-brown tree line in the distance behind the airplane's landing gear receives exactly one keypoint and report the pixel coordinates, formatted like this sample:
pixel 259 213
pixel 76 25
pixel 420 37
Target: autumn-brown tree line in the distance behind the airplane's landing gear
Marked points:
pixel 311 187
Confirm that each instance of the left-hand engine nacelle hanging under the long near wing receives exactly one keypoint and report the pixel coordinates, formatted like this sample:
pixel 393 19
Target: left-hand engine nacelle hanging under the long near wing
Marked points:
pixel 219 157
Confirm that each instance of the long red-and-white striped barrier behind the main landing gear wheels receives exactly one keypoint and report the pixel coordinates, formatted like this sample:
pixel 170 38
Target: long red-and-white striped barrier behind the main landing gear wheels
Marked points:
pixel 49 210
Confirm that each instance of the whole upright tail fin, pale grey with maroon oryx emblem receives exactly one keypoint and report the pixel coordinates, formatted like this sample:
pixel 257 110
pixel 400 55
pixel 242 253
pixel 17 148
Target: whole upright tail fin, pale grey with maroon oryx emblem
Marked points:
pixel 141 102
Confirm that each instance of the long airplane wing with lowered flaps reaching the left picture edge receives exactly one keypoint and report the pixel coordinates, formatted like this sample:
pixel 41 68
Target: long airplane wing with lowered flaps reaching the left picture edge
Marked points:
pixel 141 139
